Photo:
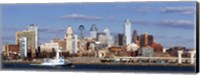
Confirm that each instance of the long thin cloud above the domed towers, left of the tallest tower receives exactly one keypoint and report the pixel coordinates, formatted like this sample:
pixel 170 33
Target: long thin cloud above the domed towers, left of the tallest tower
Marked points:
pixel 81 17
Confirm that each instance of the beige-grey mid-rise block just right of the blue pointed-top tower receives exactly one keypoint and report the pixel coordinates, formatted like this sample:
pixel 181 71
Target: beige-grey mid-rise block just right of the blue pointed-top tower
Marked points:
pixel 102 39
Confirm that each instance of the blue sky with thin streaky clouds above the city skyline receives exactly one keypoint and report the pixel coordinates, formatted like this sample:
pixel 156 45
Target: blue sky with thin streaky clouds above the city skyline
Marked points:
pixel 171 23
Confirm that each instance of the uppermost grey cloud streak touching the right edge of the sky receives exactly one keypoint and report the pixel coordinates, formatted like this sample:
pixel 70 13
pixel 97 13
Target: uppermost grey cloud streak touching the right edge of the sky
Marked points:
pixel 182 10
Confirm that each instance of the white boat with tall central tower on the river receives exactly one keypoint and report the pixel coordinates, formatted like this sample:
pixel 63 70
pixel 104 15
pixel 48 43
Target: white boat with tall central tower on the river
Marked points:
pixel 57 61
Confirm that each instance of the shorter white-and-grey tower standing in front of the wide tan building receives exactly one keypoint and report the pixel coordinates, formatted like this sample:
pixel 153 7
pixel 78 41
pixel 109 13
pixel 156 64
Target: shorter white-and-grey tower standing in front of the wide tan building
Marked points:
pixel 23 47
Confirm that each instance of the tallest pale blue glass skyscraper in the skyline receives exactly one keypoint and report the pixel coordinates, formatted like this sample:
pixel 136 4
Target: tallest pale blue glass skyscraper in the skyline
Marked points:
pixel 127 31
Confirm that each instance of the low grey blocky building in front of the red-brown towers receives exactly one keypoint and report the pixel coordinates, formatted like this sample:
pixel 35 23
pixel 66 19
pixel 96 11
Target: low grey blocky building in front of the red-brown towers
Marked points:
pixel 147 51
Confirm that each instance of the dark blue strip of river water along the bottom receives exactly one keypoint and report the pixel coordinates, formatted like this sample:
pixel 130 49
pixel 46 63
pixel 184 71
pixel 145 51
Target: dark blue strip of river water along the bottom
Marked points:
pixel 102 67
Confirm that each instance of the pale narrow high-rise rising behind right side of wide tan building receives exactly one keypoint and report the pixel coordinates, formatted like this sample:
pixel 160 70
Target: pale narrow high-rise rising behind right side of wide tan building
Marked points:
pixel 34 28
